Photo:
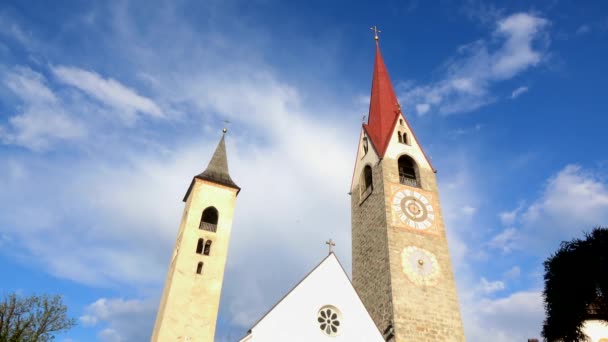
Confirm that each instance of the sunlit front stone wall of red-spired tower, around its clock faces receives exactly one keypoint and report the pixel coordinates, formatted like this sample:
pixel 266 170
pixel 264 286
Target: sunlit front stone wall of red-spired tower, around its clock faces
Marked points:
pixel 422 313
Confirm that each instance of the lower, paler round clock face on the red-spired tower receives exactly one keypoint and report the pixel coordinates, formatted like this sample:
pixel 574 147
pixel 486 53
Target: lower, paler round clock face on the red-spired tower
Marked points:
pixel 420 266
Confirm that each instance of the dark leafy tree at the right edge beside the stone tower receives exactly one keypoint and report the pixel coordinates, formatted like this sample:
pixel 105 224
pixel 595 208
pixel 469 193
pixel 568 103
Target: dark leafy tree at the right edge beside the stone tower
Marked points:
pixel 576 286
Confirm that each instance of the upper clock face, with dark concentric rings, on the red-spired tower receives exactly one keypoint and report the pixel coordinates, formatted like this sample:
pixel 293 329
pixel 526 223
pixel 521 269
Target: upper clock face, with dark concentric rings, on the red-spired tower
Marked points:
pixel 413 209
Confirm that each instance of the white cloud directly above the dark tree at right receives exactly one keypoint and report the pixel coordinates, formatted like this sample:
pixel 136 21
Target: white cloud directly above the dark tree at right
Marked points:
pixel 572 200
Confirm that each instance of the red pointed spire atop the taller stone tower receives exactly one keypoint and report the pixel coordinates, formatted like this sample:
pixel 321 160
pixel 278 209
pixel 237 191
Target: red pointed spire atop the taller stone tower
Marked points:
pixel 383 106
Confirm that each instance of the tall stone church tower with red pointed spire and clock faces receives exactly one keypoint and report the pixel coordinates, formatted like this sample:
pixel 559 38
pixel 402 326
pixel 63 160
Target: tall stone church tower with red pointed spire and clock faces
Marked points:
pixel 401 264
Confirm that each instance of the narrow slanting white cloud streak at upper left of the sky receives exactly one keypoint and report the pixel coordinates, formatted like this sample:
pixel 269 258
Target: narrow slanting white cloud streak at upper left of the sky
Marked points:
pixel 108 91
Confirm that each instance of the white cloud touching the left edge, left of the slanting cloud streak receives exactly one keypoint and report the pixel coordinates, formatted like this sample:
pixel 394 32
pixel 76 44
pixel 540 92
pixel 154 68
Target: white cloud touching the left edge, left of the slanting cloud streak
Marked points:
pixel 42 119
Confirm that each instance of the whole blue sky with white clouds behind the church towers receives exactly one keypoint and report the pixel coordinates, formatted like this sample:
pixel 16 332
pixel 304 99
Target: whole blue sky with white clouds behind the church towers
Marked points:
pixel 108 109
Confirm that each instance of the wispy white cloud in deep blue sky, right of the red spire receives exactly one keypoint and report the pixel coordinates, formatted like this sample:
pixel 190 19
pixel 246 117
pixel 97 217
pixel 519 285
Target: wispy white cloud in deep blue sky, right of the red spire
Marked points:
pixel 518 43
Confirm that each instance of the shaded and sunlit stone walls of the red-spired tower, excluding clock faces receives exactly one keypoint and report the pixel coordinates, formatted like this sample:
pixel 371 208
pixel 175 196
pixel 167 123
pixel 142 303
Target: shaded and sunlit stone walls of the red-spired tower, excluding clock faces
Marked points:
pixel 418 313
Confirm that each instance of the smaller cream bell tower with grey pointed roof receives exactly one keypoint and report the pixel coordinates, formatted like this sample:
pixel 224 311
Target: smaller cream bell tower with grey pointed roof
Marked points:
pixel 190 302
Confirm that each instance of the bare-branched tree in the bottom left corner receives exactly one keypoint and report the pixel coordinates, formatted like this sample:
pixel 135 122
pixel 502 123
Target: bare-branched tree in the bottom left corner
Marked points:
pixel 33 318
